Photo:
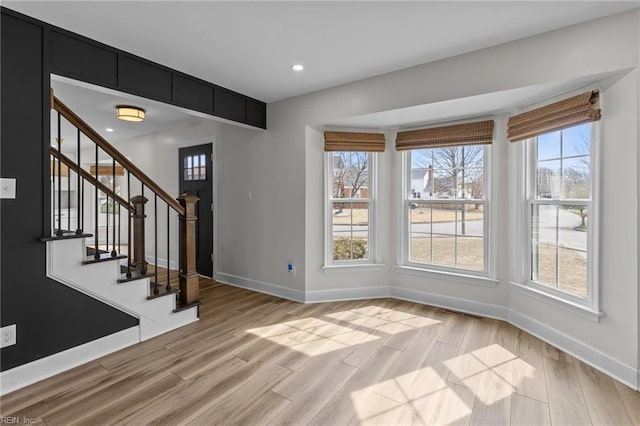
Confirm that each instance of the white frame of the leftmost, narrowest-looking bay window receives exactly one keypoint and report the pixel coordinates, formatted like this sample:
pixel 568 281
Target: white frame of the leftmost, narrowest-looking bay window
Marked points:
pixel 329 200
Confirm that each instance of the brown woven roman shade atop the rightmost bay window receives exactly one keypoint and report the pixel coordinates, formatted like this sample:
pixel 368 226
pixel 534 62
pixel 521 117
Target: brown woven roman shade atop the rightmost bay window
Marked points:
pixel 578 109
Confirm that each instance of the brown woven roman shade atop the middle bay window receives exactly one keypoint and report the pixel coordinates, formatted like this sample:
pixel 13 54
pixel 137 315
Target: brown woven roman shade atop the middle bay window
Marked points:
pixel 476 133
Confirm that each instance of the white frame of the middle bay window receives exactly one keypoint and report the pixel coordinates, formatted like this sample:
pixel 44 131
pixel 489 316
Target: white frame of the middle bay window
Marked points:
pixel 477 275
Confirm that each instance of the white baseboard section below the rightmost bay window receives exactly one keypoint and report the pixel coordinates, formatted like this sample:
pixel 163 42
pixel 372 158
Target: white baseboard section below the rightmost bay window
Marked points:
pixel 620 371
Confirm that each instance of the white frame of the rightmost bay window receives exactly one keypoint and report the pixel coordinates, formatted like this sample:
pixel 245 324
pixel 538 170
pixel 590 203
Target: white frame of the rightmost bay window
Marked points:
pixel 590 303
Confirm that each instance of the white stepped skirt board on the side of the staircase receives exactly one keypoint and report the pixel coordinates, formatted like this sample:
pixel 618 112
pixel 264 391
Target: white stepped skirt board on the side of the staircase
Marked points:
pixel 99 281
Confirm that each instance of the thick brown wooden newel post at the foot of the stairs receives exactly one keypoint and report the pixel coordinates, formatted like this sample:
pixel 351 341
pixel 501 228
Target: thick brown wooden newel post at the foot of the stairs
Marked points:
pixel 189 279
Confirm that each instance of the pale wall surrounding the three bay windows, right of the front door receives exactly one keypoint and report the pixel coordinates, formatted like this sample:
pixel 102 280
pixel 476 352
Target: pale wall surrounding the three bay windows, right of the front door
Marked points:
pixel 282 167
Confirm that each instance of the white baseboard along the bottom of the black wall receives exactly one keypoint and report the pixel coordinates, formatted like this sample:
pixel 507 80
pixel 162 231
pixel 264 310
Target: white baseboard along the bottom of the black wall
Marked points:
pixel 41 369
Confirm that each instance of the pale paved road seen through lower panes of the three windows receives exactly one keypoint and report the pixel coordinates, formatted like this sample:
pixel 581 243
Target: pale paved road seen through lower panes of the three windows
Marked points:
pixel 567 236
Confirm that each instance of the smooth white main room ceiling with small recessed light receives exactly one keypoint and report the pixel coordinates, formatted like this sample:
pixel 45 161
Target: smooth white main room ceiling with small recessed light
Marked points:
pixel 249 47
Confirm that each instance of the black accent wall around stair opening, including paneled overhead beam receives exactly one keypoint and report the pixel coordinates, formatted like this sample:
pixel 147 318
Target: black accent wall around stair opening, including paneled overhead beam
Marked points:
pixel 49 316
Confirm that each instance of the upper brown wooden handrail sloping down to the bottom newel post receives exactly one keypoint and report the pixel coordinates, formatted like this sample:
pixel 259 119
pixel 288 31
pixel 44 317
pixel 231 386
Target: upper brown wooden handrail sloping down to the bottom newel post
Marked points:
pixel 115 154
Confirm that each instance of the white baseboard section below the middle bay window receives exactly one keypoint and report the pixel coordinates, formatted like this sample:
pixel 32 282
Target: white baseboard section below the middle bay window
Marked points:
pixel 453 303
